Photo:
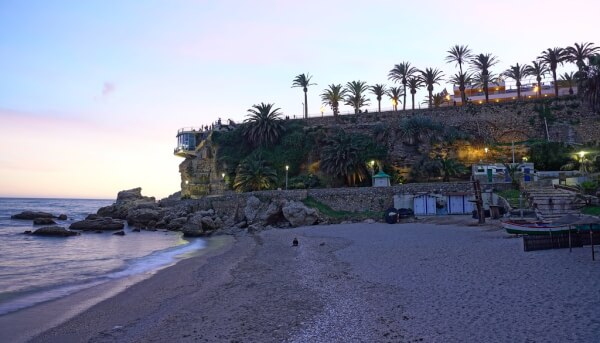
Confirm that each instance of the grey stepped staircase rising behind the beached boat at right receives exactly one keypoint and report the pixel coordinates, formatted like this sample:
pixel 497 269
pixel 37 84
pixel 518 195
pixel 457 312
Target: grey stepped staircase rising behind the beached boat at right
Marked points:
pixel 551 203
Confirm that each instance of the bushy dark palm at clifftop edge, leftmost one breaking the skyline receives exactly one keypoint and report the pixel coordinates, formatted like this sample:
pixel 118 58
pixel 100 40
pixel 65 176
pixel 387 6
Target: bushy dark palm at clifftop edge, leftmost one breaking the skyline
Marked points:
pixel 263 125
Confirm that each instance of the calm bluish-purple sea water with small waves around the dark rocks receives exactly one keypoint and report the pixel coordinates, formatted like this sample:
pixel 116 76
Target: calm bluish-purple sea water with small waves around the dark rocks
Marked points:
pixel 36 269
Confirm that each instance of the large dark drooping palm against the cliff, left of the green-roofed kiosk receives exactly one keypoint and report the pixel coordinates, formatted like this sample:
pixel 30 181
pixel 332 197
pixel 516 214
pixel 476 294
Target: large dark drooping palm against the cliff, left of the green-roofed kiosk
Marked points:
pixel 341 157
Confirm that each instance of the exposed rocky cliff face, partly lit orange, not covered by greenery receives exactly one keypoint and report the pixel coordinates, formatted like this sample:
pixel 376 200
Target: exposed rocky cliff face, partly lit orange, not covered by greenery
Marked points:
pixel 563 120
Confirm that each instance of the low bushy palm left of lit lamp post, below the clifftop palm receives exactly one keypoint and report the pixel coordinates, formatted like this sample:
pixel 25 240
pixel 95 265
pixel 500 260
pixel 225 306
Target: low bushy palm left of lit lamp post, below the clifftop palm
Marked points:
pixel 253 174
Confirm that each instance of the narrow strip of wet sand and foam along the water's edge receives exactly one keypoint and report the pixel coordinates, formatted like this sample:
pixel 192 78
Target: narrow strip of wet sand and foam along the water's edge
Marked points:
pixel 22 325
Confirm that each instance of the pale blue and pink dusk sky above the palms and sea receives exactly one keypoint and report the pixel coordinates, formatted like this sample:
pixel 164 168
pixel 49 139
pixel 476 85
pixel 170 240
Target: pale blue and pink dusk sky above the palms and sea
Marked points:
pixel 92 93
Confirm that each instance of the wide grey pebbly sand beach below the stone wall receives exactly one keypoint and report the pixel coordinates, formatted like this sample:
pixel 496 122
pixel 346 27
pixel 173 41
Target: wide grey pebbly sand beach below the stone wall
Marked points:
pixel 424 282
